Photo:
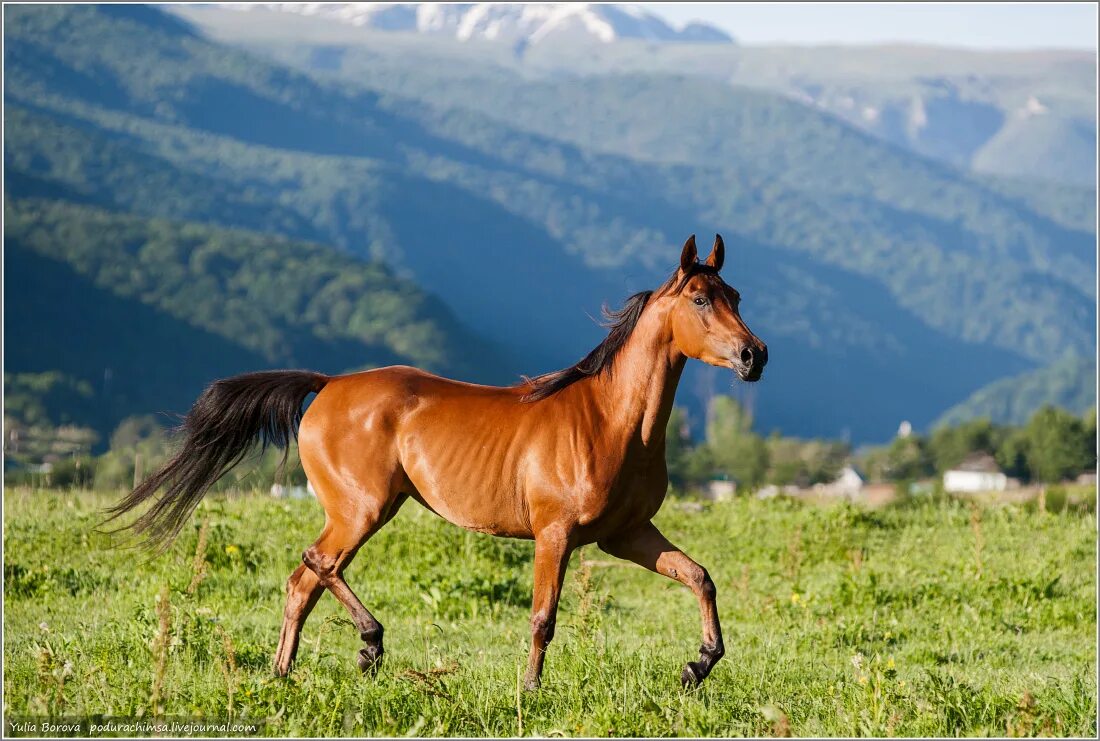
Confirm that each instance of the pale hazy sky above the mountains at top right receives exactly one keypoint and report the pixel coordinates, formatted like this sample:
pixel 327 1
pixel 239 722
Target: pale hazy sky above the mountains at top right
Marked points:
pixel 986 26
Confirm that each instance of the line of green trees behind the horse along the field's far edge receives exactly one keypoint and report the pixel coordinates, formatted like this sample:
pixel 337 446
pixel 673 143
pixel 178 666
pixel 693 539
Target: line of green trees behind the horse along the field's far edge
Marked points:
pixel 1054 446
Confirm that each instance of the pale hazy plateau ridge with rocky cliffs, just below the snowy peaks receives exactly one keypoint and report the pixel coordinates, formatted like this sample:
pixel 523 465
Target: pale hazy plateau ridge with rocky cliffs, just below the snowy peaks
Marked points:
pixel 1018 114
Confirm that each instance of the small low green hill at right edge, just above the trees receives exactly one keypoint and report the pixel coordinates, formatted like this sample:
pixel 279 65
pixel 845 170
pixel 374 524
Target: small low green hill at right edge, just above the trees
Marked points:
pixel 1070 383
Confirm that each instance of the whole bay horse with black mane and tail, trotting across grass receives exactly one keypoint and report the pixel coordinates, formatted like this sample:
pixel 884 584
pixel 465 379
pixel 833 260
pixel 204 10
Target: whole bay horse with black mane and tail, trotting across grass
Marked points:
pixel 567 459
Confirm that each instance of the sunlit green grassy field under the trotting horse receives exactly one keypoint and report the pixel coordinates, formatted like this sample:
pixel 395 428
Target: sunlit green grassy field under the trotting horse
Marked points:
pixel 919 620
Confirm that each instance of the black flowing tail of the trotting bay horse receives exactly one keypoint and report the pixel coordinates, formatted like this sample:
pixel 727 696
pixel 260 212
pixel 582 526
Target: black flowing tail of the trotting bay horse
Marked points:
pixel 224 425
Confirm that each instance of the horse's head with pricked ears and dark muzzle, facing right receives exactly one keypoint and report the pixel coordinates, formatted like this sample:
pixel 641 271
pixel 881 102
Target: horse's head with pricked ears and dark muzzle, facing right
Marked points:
pixel 706 318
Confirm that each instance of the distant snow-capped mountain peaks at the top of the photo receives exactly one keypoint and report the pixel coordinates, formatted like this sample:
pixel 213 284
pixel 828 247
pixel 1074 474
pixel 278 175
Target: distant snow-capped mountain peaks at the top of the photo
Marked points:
pixel 519 26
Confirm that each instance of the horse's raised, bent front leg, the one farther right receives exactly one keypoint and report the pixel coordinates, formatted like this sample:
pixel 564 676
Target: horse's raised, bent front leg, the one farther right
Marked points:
pixel 647 547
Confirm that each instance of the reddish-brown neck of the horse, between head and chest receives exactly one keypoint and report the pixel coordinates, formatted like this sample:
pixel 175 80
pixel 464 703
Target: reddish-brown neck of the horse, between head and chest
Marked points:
pixel 637 395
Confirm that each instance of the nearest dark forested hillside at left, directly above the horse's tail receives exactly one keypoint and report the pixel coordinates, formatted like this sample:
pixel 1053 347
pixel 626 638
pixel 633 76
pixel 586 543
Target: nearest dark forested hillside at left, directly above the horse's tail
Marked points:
pixel 145 313
